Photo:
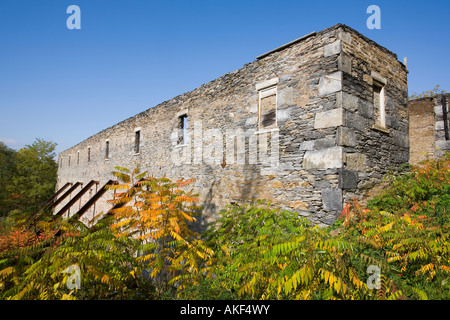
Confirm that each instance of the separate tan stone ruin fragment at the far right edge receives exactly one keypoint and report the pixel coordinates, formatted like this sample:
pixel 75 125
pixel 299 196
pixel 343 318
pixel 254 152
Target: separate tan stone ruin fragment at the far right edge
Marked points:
pixel 429 127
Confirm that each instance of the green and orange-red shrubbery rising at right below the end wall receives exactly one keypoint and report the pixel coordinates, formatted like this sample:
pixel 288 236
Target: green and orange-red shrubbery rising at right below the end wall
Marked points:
pixel 408 227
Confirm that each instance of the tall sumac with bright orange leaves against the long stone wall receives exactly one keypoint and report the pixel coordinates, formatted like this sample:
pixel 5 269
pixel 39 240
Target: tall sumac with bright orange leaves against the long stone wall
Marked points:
pixel 158 212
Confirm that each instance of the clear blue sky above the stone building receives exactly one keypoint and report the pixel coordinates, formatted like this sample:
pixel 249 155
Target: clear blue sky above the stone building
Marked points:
pixel 65 85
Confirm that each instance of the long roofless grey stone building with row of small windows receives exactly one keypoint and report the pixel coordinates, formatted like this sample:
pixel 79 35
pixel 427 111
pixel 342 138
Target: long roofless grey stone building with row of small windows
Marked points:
pixel 307 126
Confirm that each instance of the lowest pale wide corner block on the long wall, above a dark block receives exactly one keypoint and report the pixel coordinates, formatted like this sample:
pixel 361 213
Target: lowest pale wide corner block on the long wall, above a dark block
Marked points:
pixel 323 159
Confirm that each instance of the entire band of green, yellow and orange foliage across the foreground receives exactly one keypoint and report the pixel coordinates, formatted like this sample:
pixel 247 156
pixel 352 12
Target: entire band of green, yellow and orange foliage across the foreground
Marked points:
pixel 253 251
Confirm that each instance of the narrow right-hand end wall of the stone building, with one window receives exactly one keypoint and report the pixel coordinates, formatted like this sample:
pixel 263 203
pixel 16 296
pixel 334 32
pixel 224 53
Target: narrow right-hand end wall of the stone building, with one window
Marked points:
pixel 371 149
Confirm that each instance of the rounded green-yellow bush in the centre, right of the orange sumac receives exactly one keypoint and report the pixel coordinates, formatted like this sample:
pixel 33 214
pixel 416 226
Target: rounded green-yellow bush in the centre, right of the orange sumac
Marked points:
pixel 267 253
